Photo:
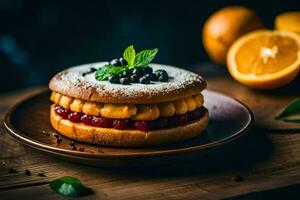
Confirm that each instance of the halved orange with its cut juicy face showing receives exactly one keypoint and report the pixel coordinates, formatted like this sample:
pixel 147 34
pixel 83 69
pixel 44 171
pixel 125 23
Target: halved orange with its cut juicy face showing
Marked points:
pixel 265 59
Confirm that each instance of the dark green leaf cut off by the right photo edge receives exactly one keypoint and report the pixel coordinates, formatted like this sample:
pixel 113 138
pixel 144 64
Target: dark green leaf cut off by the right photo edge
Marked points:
pixel 290 110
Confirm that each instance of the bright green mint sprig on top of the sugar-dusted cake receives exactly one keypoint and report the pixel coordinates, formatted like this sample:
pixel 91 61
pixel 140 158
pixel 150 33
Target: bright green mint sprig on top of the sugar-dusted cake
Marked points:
pixel 134 60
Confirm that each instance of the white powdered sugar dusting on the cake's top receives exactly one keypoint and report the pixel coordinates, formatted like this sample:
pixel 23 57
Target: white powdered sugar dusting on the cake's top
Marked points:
pixel 179 79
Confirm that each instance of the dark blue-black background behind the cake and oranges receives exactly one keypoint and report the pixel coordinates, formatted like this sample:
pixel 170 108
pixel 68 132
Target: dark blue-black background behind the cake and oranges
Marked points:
pixel 40 38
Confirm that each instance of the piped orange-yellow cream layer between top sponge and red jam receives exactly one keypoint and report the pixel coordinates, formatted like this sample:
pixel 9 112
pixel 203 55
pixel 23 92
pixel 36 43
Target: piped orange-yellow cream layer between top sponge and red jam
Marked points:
pixel 135 112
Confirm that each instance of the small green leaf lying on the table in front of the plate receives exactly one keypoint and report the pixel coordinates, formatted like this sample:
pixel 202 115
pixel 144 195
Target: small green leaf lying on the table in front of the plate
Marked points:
pixel 69 186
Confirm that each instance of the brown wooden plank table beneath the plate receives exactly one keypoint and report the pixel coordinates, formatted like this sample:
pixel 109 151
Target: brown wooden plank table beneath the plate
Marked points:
pixel 264 165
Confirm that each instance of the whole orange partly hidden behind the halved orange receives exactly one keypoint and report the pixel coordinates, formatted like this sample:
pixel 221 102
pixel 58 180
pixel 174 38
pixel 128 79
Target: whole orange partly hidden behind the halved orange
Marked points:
pixel 225 26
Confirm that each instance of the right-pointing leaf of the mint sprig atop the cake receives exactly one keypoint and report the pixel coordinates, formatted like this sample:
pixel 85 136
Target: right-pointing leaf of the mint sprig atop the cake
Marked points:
pixel 144 57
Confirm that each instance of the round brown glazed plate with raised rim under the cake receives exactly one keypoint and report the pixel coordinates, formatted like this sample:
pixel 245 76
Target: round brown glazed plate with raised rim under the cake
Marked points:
pixel 28 122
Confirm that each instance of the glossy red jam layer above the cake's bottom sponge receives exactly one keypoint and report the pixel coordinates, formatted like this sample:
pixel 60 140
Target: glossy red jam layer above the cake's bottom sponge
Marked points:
pixel 124 124
